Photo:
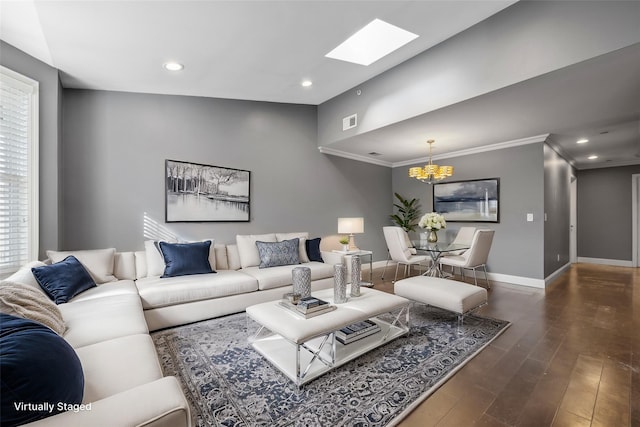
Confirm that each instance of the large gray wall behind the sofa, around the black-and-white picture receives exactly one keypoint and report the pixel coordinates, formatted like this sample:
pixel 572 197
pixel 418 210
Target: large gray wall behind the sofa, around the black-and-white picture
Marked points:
pixel 115 145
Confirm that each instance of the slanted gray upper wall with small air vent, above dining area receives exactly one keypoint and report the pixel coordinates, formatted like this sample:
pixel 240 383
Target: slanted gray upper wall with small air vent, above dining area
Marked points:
pixel 485 58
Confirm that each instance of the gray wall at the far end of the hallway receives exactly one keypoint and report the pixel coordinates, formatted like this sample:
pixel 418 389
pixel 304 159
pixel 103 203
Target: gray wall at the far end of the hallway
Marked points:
pixel 604 213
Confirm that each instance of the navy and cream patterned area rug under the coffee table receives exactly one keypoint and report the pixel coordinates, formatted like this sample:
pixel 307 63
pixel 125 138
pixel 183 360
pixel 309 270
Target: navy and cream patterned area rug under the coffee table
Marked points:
pixel 227 383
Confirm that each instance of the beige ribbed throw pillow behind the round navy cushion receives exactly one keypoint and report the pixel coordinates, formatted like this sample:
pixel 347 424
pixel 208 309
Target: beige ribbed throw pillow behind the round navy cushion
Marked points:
pixel 24 301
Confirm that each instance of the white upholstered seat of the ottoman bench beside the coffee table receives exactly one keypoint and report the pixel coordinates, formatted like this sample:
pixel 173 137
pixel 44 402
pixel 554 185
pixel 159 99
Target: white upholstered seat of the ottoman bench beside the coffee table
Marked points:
pixel 451 295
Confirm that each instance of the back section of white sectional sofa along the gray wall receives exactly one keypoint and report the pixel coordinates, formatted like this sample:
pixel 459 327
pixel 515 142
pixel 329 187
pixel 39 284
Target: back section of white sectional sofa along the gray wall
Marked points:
pixel 238 282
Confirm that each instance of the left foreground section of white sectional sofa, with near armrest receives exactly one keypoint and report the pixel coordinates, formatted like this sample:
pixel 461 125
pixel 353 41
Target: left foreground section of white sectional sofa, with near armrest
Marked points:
pixel 123 382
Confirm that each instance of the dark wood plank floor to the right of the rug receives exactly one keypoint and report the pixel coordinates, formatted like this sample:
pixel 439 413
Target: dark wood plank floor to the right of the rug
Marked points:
pixel 571 356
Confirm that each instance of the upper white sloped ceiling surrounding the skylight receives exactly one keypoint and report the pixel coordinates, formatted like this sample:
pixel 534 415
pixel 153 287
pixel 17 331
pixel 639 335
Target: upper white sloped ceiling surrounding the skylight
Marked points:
pixel 258 50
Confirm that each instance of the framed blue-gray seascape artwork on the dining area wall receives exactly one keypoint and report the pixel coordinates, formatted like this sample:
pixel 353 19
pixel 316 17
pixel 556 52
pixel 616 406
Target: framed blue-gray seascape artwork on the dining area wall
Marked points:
pixel 475 200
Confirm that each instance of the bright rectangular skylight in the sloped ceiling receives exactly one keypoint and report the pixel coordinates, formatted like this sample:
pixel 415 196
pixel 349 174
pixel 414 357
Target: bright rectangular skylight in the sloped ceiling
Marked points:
pixel 376 40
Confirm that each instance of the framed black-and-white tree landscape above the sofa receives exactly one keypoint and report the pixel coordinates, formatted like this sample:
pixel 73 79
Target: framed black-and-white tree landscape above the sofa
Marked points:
pixel 204 193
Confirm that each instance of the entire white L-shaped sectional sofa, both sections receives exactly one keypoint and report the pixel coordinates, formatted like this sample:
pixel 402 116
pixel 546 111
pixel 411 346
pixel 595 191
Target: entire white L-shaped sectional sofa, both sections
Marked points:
pixel 108 325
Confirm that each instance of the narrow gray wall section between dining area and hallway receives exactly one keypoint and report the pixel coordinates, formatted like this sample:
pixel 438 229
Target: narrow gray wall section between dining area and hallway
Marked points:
pixel 557 197
